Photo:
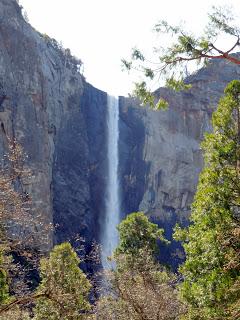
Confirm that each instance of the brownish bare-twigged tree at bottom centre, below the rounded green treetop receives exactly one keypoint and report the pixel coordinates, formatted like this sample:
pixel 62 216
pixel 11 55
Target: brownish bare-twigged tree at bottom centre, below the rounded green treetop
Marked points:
pixel 142 291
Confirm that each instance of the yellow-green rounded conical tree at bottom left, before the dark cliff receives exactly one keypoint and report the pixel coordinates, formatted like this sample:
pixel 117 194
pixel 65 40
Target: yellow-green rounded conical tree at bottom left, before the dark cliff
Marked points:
pixel 64 285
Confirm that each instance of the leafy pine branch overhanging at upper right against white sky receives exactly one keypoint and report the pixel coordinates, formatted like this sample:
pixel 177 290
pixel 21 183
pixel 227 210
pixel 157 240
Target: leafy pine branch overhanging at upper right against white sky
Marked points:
pixel 186 48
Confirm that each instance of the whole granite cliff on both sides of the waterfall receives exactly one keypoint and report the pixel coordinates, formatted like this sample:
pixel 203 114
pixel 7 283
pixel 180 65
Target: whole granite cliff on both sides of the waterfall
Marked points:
pixel 60 120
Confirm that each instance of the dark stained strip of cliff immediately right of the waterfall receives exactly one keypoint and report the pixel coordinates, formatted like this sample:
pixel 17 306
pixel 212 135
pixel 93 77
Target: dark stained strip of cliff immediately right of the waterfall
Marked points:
pixel 133 169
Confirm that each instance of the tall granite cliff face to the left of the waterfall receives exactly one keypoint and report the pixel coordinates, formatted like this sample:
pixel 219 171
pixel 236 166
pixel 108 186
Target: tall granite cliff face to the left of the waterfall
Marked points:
pixel 60 121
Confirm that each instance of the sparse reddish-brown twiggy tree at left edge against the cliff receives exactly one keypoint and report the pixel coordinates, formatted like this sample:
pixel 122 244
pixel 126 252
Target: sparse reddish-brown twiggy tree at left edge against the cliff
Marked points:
pixel 18 223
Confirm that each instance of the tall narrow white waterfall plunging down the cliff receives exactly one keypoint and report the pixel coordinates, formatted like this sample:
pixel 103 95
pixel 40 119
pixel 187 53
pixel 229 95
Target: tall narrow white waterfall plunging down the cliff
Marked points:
pixel 109 237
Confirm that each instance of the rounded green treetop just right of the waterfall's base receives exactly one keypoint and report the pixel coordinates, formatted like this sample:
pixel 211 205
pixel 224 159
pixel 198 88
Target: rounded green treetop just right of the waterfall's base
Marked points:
pixel 137 232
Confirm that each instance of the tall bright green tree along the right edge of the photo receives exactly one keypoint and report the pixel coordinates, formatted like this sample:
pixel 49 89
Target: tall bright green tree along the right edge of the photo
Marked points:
pixel 211 273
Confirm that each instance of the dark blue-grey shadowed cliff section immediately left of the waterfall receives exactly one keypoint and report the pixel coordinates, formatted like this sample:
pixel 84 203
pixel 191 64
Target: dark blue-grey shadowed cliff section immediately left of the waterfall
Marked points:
pixel 79 167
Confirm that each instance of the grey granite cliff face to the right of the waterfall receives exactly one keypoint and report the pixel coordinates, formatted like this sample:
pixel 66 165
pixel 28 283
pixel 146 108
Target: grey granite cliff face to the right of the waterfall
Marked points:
pixel 161 156
